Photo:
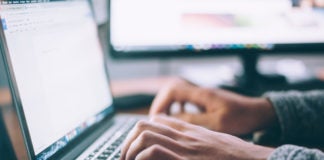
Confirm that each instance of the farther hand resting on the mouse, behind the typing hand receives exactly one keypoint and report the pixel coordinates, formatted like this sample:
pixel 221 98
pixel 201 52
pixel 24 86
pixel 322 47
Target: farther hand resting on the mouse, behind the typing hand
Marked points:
pixel 221 110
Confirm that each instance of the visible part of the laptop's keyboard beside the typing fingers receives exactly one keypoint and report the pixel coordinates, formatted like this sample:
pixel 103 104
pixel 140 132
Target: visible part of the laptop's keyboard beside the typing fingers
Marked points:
pixel 110 148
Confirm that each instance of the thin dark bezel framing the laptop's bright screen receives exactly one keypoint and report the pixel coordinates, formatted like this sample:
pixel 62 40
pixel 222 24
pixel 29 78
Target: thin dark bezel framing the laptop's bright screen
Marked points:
pixel 19 107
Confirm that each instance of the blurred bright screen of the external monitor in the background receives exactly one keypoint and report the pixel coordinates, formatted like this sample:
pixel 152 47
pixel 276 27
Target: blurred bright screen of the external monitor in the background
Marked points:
pixel 163 26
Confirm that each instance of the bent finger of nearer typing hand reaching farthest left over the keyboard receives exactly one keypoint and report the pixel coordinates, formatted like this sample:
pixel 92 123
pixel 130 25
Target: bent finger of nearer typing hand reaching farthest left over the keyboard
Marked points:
pixel 149 126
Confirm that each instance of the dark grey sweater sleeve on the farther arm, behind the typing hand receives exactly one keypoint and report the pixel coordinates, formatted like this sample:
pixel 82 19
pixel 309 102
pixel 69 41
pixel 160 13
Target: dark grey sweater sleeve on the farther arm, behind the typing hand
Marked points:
pixel 300 115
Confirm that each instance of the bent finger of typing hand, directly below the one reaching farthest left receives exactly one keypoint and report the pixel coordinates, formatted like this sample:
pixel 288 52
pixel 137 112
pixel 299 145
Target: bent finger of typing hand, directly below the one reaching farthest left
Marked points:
pixel 147 139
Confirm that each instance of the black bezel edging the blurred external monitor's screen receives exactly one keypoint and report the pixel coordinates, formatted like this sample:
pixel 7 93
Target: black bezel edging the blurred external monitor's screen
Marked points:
pixel 283 48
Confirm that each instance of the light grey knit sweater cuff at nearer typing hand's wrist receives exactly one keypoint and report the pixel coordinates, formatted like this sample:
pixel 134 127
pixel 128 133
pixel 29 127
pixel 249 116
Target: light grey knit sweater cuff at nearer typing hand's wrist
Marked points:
pixel 291 152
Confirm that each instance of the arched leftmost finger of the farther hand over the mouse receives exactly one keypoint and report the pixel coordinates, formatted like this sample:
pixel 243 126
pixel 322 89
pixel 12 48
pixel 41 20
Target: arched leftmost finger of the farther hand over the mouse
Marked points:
pixel 187 93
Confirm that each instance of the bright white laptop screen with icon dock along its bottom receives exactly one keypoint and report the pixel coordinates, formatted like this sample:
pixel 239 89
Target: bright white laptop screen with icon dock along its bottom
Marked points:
pixel 59 69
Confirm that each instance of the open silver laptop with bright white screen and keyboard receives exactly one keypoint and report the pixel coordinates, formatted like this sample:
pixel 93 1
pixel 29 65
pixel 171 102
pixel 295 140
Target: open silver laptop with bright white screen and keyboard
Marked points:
pixel 58 79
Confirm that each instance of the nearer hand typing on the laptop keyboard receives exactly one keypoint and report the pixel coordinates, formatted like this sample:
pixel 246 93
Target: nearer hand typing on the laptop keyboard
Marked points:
pixel 168 138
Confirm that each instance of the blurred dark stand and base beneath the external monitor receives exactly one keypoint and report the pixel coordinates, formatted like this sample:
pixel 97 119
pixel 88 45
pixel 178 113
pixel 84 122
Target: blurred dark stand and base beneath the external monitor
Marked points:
pixel 253 83
